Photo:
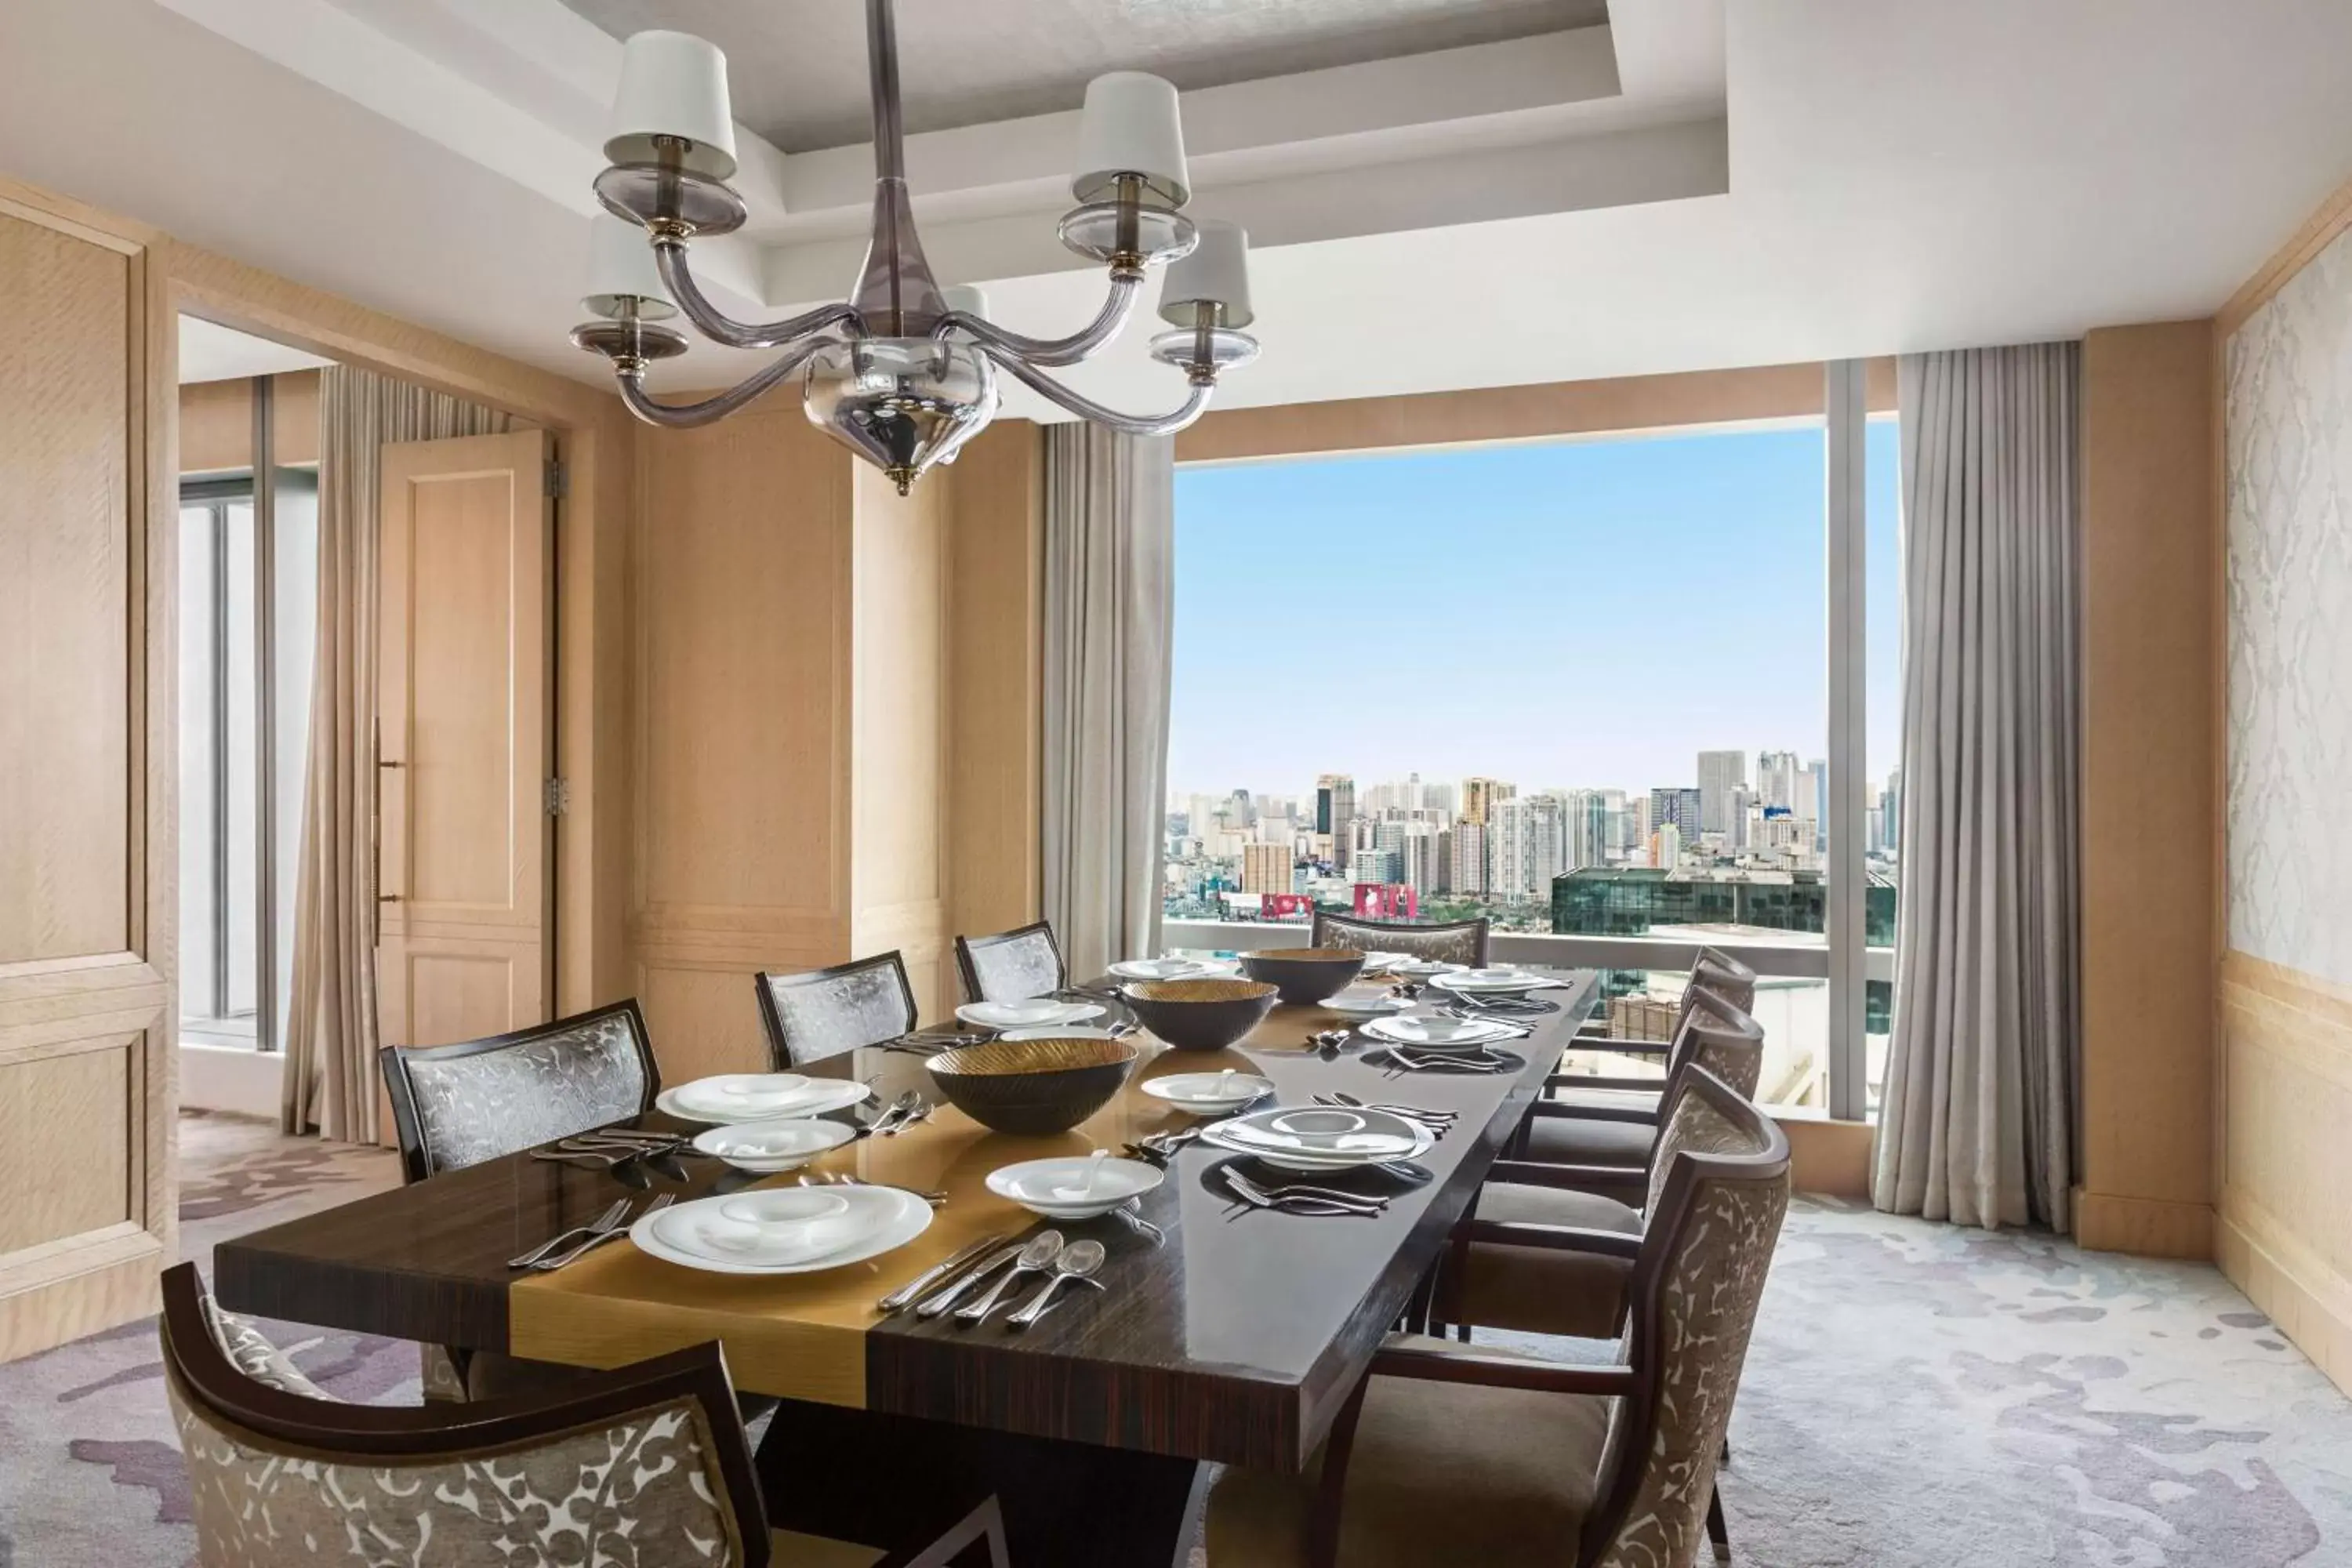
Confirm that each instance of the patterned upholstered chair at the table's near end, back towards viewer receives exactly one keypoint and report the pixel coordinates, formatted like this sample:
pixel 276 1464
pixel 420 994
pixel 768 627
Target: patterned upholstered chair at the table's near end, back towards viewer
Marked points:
pixel 639 1468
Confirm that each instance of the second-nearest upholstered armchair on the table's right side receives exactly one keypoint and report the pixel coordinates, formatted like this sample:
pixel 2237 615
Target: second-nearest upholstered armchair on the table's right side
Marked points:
pixel 1546 1249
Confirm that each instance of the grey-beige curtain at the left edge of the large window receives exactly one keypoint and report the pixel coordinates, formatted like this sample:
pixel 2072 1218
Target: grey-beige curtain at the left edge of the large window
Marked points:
pixel 1109 596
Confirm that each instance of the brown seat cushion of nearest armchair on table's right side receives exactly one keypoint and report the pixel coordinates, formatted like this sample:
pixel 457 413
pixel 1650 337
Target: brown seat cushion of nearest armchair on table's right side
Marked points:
pixel 1441 1475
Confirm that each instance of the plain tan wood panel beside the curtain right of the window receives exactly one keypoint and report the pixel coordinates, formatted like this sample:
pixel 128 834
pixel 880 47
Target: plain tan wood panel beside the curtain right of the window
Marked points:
pixel 2149 540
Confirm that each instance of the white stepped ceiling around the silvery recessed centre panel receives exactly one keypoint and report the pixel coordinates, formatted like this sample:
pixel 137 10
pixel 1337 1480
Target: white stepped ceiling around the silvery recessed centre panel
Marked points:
pixel 1692 187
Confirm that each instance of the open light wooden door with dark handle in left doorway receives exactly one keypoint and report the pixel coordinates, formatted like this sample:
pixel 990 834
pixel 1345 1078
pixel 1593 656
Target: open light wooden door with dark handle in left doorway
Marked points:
pixel 462 876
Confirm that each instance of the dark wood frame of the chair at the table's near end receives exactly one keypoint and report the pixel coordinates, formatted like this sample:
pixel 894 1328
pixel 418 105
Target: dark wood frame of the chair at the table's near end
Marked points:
pixel 436 1433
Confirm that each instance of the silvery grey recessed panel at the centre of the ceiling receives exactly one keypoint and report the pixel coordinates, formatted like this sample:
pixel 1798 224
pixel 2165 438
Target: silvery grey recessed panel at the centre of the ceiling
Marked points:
pixel 799 67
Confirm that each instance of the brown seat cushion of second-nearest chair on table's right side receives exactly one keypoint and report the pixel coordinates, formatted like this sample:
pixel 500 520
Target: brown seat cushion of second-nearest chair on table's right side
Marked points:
pixel 1542 1289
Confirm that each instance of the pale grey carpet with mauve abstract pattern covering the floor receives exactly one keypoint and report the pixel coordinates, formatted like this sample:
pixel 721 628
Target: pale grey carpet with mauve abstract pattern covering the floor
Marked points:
pixel 1918 1398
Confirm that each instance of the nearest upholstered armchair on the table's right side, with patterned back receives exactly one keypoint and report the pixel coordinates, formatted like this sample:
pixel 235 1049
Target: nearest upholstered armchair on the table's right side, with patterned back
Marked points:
pixel 1455 1454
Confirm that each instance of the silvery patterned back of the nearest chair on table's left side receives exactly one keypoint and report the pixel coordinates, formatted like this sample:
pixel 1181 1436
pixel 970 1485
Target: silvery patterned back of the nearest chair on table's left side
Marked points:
pixel 457 1106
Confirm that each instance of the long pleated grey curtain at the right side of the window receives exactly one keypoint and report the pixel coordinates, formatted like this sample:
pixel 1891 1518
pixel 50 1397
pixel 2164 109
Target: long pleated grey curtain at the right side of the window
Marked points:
pixel 1979 1111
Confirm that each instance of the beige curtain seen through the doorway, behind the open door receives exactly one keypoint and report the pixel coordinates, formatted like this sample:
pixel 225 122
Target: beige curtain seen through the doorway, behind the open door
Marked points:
pixel 330 1073
